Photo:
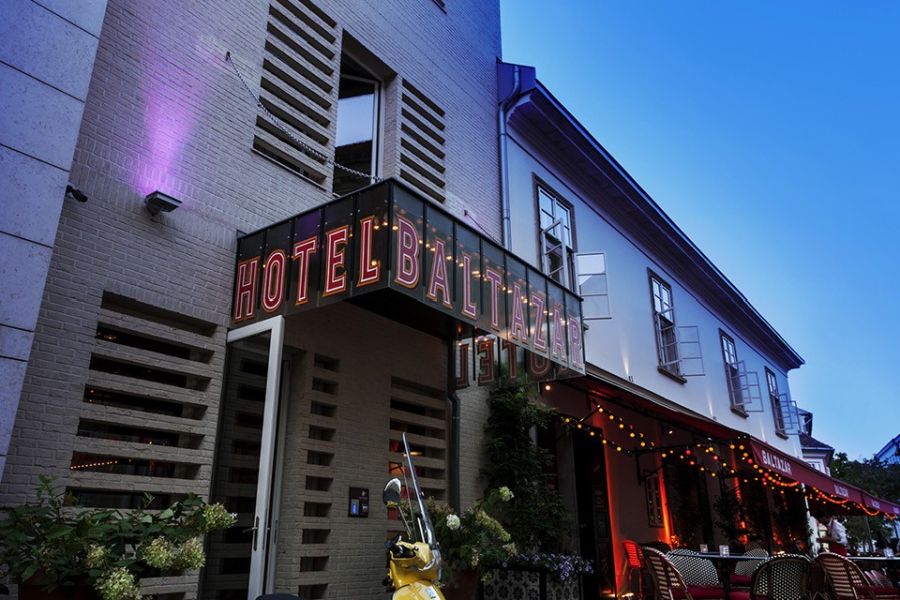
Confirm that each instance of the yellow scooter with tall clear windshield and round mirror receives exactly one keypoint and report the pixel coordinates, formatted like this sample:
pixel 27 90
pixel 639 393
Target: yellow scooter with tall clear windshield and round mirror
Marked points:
pixel 414 565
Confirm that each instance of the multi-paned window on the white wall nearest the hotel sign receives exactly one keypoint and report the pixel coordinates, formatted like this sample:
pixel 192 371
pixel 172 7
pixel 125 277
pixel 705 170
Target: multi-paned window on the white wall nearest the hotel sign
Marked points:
pixel 557 245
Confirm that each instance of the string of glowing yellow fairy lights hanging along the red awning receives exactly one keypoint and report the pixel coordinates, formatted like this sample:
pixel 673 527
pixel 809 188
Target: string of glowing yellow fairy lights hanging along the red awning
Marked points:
pixel 626 438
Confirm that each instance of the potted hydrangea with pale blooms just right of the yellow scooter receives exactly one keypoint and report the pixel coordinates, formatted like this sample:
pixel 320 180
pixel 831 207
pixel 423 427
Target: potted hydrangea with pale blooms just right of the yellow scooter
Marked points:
pixel 472 542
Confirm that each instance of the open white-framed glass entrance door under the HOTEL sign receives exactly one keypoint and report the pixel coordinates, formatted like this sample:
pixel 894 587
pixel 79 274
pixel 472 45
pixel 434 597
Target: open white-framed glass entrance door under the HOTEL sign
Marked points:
pixel 243 475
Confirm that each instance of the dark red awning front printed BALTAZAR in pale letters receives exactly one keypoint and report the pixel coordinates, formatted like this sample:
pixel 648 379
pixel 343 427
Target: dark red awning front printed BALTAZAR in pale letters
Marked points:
pixel 794 468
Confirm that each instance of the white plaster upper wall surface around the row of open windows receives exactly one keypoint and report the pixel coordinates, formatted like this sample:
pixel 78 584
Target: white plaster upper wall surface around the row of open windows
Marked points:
pixel 625 344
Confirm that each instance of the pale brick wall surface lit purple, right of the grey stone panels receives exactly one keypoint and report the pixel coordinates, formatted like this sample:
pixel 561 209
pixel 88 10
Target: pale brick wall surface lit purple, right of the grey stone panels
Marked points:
pixel 164 111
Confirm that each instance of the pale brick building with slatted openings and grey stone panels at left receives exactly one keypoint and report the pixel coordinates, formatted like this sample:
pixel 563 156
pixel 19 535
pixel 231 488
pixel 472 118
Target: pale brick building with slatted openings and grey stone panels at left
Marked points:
pixel 123 391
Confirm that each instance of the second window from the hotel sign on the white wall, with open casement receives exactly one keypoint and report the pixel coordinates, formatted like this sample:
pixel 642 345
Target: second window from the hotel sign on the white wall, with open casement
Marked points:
pixel 677 346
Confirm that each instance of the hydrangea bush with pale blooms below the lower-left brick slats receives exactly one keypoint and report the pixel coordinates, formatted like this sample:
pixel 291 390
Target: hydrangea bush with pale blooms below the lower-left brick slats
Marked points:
pixel 53 549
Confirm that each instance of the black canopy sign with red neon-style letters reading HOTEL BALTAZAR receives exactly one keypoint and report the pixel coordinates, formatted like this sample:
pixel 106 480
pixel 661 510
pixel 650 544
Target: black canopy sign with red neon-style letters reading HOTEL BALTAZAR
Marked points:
pixel 387 237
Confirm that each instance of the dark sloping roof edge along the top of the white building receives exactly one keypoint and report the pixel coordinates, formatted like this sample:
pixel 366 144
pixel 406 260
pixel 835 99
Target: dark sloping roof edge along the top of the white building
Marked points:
pixel 664 219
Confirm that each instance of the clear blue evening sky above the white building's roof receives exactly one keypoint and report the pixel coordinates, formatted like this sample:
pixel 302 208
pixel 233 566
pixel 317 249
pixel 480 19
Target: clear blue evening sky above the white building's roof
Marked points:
pixel 770 132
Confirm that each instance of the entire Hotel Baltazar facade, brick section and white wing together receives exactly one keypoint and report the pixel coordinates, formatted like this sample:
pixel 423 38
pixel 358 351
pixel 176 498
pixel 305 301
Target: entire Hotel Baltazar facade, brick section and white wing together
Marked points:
pixel 311 227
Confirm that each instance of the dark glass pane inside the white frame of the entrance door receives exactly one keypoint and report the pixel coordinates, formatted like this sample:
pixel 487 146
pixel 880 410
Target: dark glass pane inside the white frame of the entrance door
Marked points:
pixel 227 570
